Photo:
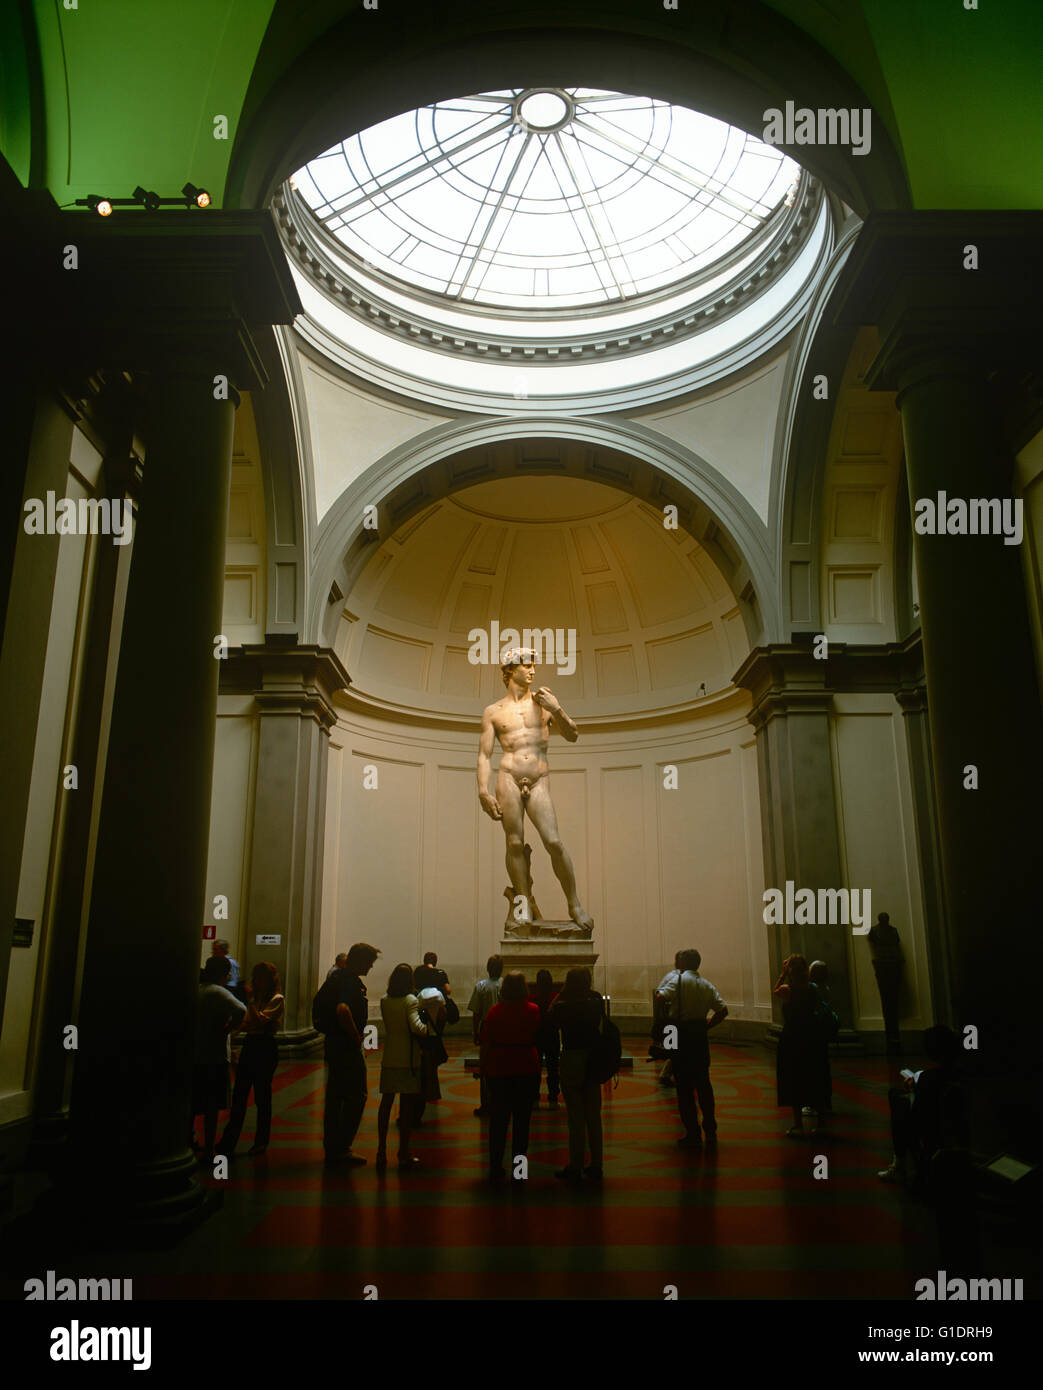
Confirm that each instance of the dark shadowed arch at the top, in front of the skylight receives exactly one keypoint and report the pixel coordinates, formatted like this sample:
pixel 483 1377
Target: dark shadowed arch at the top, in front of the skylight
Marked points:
pixel 325 76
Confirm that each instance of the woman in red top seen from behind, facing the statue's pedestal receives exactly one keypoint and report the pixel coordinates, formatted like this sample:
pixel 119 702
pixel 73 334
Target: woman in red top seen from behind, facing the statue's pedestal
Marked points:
pixel 511 1063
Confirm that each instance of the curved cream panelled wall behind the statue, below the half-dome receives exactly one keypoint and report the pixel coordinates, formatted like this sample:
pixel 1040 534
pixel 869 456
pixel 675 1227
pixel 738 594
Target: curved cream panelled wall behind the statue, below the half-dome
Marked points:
pixel 415 865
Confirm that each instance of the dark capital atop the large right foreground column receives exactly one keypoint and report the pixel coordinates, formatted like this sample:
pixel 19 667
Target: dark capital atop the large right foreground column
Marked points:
pixel 909 276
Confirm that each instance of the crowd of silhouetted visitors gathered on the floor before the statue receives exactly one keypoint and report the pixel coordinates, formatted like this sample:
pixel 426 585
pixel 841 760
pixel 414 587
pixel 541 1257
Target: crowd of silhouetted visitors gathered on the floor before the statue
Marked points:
pixel 522 1033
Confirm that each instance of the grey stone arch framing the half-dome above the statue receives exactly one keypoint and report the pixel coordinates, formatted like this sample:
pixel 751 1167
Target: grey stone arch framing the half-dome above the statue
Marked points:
pixel 624 455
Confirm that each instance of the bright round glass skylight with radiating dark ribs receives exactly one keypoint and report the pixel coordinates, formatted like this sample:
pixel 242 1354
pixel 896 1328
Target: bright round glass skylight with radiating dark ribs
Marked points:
pixel 546 198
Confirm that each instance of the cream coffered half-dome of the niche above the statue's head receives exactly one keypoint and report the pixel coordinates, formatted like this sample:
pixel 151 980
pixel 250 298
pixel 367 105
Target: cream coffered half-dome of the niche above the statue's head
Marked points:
pixel 653 618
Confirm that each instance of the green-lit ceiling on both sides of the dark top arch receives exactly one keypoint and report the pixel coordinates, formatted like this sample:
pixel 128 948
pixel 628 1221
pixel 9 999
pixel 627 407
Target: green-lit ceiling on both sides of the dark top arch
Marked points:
pixel 131 91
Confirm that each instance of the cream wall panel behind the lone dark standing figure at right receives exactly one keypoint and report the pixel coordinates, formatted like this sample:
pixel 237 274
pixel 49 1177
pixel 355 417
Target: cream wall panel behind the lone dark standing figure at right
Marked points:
pixel 880 849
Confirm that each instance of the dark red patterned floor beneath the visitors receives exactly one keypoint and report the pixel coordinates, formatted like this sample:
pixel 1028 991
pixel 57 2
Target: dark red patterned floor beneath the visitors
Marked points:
pixel 749 1221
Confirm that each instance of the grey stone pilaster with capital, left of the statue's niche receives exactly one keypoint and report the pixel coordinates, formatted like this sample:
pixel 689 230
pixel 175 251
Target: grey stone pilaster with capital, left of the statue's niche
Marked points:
pixel 293 687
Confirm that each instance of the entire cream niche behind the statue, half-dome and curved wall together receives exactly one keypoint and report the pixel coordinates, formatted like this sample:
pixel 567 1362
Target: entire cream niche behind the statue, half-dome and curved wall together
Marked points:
pixel 658 800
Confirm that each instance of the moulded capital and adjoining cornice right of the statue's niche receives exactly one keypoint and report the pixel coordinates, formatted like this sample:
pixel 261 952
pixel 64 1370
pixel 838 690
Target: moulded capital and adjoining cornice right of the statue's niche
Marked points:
pixel 786 679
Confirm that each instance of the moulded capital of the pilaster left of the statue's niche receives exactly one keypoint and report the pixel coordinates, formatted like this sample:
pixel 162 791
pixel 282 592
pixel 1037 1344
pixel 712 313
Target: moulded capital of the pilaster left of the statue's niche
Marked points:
pixel 287 679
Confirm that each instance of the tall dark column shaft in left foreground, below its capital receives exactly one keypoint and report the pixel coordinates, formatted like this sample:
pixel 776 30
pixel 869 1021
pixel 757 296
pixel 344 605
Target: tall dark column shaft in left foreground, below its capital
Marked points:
pixel 130 1113
